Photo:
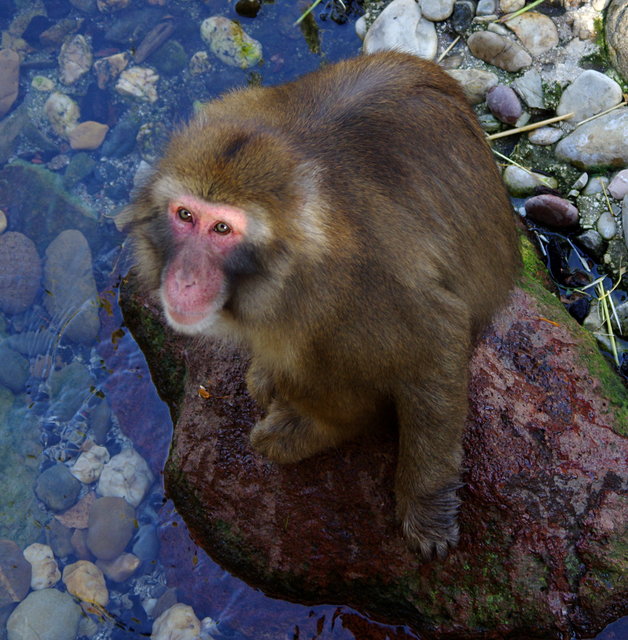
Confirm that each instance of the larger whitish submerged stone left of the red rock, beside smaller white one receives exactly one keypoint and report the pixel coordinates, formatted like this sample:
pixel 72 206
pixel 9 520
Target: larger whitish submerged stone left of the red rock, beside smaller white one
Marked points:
pixel 126 476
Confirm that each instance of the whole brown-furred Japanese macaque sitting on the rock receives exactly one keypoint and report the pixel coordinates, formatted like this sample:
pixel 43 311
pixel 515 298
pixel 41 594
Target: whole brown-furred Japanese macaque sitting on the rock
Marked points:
pixel 351 229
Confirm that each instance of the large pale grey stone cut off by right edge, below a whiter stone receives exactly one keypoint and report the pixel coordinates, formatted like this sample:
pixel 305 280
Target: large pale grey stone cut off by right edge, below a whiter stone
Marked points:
pixel 600 142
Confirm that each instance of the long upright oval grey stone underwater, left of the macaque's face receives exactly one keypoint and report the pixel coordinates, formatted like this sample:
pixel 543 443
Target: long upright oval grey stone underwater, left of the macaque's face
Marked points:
pixel 75 308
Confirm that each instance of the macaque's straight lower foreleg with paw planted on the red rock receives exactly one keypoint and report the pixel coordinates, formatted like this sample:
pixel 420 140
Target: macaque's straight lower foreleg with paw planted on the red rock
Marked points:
pixel 431 419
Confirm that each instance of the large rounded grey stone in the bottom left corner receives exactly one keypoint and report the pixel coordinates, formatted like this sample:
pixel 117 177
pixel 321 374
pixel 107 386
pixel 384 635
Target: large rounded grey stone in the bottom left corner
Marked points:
pixel 48 614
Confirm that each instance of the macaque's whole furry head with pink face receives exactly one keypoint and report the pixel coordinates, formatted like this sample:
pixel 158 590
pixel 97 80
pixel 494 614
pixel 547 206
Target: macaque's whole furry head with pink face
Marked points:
pixel 219 221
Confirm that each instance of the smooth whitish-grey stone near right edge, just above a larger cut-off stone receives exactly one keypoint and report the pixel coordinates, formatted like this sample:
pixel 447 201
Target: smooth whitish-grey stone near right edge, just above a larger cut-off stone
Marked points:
pixel 589 94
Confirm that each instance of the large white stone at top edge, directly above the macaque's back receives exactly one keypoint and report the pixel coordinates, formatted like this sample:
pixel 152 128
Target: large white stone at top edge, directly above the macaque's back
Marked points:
pixel 395 28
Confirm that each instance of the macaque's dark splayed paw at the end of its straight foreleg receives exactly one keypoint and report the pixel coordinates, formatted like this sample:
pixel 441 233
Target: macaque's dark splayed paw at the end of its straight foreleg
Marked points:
pixel 430 523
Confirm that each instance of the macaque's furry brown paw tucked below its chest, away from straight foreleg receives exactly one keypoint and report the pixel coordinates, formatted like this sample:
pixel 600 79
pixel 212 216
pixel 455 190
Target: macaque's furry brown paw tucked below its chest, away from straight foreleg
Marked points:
pixel 285 436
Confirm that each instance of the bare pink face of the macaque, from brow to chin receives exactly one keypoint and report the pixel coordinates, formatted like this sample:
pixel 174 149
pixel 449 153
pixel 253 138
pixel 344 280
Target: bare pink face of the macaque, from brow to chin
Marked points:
pixel 193 283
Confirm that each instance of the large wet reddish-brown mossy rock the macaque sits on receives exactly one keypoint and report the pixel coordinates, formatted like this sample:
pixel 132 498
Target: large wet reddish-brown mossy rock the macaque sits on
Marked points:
pixel 542 523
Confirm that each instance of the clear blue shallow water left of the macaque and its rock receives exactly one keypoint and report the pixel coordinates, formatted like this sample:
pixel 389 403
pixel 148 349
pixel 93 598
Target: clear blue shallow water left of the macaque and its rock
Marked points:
pixel 61 389
